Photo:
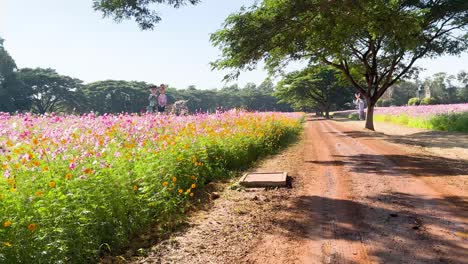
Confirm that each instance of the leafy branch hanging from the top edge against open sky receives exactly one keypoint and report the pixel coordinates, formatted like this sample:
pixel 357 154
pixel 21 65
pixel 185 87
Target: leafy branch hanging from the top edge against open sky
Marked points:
pixel 140 10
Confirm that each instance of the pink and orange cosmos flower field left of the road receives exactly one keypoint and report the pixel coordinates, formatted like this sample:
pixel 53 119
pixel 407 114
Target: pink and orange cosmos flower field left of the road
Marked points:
pixel 72 186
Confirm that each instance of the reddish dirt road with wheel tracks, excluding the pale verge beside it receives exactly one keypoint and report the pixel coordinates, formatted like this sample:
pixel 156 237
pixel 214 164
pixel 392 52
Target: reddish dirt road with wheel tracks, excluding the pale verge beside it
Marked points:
pixel 365 200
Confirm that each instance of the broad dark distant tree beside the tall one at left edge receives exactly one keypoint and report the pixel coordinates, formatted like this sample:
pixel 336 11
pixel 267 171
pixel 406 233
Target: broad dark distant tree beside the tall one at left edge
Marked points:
pixel 51 91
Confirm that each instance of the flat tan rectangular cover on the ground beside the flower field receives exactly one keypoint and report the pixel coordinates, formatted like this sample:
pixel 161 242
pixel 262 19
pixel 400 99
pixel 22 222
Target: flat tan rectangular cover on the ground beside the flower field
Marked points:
pixel 264 179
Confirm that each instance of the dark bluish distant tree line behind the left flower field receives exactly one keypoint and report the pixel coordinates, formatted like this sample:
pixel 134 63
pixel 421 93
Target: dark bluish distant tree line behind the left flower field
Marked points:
pixel 44 90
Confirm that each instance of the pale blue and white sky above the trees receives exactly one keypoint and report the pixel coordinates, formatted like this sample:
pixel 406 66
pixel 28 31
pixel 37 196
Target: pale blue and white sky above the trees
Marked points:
pixel 72 38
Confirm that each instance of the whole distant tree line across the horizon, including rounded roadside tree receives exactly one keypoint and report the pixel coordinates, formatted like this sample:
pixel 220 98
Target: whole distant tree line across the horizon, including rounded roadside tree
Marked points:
pixel 313 89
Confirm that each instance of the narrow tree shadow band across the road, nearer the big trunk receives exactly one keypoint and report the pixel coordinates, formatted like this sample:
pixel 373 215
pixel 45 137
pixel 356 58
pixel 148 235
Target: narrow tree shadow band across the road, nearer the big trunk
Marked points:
pixel 400 165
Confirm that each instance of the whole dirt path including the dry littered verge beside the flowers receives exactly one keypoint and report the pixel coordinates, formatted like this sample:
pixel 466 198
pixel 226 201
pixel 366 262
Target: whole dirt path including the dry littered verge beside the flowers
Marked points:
pixel 357 198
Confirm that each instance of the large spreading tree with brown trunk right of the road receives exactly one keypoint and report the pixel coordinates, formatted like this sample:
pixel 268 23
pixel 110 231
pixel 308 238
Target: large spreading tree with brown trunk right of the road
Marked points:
pixel 374 43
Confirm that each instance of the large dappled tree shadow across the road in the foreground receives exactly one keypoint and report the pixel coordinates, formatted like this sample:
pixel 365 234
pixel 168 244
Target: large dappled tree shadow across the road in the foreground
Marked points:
pixel 393 224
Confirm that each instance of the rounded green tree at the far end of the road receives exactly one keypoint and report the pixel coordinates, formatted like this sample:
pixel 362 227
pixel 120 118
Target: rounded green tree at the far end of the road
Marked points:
pixel 316 88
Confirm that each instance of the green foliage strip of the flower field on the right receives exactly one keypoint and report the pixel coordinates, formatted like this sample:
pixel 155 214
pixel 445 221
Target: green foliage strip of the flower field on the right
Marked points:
pixel 455 122
